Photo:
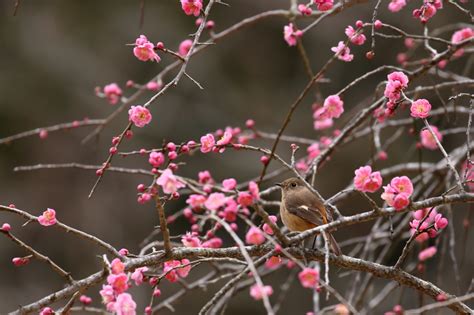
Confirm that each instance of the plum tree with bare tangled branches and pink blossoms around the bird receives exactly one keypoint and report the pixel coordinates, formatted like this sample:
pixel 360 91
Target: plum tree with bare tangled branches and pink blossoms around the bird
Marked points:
pixel 415 208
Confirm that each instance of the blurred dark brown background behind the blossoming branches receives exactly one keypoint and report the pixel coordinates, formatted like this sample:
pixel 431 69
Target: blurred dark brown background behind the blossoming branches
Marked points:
pixel 53 55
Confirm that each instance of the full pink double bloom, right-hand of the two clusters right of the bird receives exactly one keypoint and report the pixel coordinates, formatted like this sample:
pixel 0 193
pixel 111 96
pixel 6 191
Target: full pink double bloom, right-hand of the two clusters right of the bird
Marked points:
pixel 397 194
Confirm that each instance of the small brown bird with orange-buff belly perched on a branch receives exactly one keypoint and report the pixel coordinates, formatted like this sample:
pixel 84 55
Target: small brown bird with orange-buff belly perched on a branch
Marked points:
pixel 301 210
